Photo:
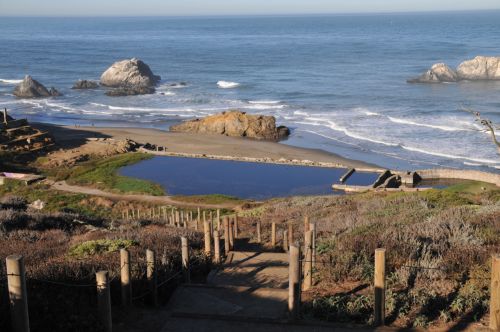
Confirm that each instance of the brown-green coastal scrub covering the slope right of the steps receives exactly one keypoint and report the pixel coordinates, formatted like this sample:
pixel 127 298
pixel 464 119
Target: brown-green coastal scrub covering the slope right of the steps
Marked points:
pixel 439 245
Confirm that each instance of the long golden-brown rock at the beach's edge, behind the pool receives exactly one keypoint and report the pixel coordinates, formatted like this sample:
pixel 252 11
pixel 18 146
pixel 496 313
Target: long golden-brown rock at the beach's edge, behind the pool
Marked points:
pixel 235 123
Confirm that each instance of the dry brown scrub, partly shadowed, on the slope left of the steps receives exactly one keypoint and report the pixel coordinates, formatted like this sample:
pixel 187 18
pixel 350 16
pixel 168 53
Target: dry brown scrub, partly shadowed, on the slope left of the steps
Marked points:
pixel 64 250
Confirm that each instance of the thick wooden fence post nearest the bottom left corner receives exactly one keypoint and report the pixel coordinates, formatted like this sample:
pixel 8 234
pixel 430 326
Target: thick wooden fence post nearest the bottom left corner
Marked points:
pixel 18 297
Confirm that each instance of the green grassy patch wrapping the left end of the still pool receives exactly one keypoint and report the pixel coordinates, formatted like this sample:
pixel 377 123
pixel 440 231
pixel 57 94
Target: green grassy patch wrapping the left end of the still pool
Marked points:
pixel 103 174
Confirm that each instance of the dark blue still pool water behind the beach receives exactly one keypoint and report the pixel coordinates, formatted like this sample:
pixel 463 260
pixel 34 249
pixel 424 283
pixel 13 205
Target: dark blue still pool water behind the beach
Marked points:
pixel 191 176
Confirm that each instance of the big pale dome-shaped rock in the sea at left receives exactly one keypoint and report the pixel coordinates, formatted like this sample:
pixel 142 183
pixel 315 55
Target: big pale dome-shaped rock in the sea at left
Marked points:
pixel 131 73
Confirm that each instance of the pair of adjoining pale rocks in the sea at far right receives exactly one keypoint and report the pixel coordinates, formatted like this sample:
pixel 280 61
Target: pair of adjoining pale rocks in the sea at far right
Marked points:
pixel 478 69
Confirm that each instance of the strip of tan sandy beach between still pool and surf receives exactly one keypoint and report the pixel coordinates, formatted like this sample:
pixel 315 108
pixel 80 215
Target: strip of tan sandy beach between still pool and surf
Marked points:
pixel 213 146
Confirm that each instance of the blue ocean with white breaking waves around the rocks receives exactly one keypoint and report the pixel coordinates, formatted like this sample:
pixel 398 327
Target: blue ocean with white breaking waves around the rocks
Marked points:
pixel 338 81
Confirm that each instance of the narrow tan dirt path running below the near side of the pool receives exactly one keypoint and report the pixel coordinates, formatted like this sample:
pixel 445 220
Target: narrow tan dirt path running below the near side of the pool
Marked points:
pixel 167 200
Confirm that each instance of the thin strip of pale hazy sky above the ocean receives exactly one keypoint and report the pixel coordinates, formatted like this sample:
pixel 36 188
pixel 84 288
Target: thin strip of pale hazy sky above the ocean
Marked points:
pixel 229 7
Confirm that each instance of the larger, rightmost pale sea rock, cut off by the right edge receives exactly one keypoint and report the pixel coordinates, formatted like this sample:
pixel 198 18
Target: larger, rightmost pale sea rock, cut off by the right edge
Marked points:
pixel 480 68
